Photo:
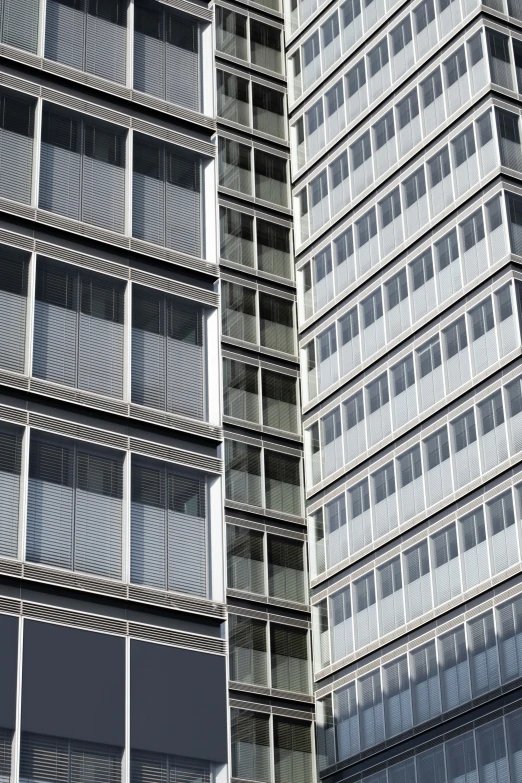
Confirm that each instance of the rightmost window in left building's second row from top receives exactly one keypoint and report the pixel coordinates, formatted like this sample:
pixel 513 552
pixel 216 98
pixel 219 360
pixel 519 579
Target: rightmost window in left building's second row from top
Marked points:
pixel 166 200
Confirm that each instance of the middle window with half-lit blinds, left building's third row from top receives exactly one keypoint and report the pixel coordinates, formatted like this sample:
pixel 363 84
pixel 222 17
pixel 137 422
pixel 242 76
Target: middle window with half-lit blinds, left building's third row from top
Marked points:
pixel 78 328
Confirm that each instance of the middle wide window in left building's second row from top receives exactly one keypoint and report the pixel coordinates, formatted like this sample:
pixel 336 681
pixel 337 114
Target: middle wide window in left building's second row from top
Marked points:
pixel 82 169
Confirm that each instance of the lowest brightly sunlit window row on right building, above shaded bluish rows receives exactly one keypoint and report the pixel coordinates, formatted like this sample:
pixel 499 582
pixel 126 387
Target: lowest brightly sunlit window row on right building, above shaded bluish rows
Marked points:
pixel 406 587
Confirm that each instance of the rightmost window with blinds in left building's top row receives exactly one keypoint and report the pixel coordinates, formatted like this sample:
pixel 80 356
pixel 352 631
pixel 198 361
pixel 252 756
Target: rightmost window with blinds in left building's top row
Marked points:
pixel 167 54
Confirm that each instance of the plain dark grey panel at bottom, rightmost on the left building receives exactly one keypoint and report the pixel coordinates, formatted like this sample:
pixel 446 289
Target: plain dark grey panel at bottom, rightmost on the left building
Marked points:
pixel 178 702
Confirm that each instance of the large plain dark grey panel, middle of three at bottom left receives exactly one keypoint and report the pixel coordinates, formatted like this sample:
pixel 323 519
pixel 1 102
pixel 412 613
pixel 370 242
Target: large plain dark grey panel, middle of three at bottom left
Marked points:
pixel 73 684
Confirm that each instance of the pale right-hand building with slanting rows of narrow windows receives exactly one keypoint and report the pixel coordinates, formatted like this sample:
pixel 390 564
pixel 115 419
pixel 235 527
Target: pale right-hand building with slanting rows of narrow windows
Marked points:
pixel 406 165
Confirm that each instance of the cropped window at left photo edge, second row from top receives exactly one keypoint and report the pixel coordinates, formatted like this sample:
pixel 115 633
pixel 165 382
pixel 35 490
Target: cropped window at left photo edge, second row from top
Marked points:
pixel 16 138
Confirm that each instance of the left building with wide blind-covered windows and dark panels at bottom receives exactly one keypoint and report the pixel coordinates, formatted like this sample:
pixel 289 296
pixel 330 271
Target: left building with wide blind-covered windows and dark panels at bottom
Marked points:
pixel 112 557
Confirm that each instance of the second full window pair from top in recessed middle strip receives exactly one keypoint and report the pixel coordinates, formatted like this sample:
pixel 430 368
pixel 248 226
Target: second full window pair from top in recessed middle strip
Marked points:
pixel 251 104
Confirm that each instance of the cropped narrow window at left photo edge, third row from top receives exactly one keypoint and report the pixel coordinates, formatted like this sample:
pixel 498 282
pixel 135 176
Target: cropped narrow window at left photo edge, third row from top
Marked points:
pixel 14 265
